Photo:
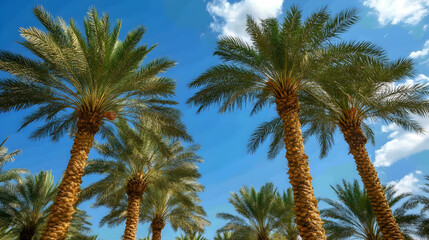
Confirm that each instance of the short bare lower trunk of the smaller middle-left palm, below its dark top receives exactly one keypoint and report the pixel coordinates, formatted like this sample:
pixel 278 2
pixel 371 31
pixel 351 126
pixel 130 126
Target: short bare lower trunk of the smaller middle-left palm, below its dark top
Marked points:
pixel 133 211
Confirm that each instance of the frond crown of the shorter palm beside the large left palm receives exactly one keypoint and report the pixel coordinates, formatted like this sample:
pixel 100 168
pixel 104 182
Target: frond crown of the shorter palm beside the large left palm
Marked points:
pixel 128 153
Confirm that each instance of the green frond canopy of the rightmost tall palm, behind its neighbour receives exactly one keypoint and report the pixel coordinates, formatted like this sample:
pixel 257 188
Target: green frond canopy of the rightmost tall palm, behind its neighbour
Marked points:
pixel 352 93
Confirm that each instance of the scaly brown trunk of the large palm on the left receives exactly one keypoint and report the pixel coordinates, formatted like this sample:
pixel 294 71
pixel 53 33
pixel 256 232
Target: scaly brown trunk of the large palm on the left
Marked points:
pixel 62 211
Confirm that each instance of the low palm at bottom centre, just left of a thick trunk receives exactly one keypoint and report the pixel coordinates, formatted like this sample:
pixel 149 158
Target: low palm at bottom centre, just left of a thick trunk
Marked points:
pixel 257 208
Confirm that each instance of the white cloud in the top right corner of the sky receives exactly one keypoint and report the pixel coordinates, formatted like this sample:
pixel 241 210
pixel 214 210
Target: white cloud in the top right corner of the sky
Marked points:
pixel 397 11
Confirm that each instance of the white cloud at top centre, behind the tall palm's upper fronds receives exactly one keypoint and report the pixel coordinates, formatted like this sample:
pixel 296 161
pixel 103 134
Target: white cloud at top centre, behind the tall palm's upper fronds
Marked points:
pixel 229 19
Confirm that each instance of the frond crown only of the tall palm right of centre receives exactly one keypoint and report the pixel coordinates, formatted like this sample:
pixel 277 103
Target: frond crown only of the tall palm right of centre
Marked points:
pixel 282 58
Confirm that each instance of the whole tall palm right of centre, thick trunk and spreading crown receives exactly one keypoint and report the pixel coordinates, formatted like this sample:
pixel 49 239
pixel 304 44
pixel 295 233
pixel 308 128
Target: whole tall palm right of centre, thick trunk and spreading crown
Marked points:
pixel 279 64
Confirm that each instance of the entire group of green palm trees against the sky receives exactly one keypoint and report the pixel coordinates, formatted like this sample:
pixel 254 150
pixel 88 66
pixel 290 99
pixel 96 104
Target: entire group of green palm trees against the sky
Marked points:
pixel 89 83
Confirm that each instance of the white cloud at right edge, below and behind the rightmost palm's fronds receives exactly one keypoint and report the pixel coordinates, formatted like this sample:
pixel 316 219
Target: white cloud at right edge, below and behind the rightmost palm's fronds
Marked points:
pixel 403 144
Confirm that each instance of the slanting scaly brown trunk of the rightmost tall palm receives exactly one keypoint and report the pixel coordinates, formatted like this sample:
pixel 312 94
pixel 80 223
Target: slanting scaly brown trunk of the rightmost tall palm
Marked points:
pixel 385 219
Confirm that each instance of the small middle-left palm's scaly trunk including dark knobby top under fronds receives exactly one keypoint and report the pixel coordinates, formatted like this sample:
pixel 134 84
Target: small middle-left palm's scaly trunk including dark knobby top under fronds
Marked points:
pixel 135 189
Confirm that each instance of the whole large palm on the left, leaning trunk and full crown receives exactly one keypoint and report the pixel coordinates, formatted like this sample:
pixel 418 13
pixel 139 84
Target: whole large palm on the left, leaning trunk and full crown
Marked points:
pixel 78 83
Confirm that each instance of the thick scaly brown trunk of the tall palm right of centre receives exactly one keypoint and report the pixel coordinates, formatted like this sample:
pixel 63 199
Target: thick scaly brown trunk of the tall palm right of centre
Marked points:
pixel 307 219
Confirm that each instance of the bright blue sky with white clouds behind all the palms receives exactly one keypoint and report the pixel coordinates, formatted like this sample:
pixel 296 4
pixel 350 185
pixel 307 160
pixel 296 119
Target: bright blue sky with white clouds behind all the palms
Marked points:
pixel 186 31
